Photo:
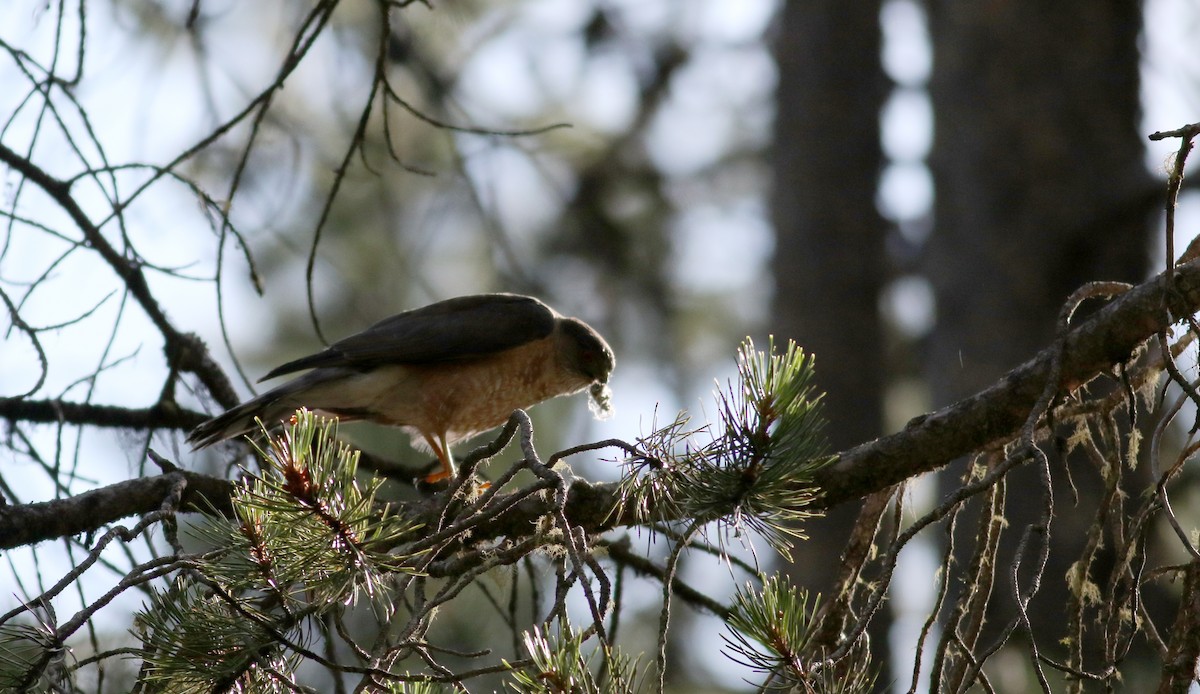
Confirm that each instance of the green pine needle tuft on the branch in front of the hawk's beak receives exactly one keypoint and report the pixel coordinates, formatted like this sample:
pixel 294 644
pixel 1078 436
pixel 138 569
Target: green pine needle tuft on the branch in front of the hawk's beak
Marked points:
pixel 758 474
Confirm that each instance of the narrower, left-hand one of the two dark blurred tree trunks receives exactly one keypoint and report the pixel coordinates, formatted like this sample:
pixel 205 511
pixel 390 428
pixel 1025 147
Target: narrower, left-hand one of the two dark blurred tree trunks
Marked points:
pixel 830 258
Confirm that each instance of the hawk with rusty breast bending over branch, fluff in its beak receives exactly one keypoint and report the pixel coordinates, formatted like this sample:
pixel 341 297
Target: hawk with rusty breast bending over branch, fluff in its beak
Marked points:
pixel 443 373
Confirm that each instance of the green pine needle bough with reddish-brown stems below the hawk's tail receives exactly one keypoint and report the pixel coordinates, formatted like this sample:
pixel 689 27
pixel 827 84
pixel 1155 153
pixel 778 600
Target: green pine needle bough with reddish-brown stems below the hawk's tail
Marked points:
pixel 305 540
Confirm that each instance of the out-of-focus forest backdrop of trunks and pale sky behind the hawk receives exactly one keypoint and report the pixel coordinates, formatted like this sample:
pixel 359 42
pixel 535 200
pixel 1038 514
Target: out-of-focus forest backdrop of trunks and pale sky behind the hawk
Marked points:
pixel 729 169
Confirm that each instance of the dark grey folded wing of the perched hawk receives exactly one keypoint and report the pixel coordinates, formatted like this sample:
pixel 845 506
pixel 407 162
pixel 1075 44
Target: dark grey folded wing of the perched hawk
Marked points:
pixel 461 328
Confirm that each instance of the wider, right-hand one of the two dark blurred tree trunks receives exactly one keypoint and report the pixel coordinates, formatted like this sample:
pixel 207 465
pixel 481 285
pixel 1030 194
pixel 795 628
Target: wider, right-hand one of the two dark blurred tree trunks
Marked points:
pixel 1041 188
